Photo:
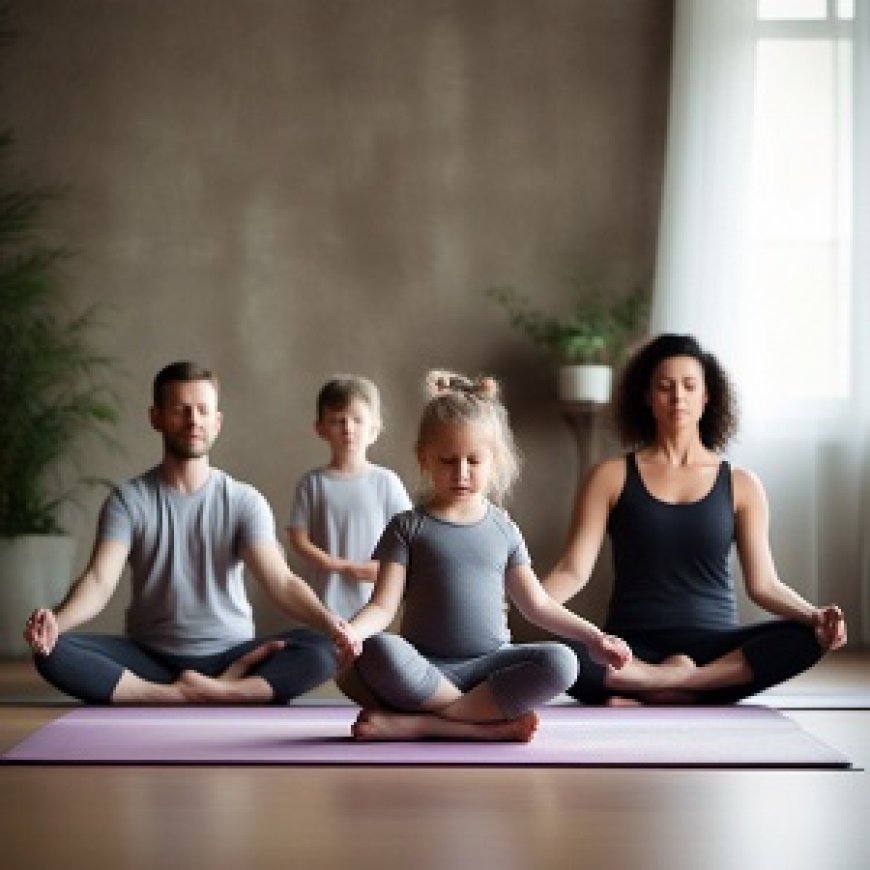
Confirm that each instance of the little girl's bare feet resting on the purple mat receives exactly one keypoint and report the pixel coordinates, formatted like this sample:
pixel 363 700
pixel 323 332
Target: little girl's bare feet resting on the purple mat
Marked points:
pixel 377 725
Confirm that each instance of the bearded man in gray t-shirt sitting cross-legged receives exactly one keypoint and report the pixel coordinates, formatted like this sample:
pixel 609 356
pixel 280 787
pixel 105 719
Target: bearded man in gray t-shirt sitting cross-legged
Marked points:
pixel 187 530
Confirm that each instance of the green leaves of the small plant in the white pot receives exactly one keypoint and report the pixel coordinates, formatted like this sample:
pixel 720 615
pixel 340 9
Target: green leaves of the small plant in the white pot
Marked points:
pixel 596 329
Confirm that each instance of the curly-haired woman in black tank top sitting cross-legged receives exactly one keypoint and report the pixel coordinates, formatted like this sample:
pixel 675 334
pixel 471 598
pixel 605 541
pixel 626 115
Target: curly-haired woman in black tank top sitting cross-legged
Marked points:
pixel 673 507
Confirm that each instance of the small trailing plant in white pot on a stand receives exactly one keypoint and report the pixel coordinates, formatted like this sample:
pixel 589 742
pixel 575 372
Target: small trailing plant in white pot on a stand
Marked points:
pixel 586 343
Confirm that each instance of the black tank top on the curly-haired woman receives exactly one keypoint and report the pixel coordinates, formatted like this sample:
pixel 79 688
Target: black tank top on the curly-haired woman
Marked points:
pixel 671 560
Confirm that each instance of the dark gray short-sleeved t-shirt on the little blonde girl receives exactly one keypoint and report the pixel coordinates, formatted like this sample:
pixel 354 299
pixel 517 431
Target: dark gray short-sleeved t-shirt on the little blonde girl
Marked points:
pixel 455 604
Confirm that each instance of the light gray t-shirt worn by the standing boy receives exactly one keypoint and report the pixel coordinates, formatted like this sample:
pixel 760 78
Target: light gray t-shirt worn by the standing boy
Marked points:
pixel 345 515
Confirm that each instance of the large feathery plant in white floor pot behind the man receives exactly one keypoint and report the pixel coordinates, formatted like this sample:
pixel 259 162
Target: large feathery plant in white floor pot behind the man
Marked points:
pixel 53 394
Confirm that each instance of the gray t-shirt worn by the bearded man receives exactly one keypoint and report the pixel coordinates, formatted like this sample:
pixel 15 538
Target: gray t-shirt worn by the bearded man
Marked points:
pixel 188 594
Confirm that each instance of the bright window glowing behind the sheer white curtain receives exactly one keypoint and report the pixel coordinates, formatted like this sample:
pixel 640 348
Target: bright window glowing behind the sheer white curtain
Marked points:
pixel 798 310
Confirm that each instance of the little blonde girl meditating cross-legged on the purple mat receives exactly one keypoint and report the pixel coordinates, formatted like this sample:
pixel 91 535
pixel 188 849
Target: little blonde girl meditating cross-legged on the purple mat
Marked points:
pixel 452 672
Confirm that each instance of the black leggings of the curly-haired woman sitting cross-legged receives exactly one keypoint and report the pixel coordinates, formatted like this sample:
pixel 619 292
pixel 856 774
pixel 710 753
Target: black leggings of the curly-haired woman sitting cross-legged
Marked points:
pixel 775 651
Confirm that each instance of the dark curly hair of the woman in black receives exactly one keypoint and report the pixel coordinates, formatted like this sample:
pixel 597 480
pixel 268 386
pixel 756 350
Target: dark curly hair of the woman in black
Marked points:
pixel 632 416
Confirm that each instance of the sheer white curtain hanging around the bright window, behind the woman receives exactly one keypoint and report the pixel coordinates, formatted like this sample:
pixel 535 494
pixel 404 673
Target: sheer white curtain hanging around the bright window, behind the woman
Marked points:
pixel 813 456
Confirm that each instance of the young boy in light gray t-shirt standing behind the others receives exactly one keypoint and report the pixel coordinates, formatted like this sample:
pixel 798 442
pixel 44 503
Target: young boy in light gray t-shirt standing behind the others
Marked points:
pixel 340 510
